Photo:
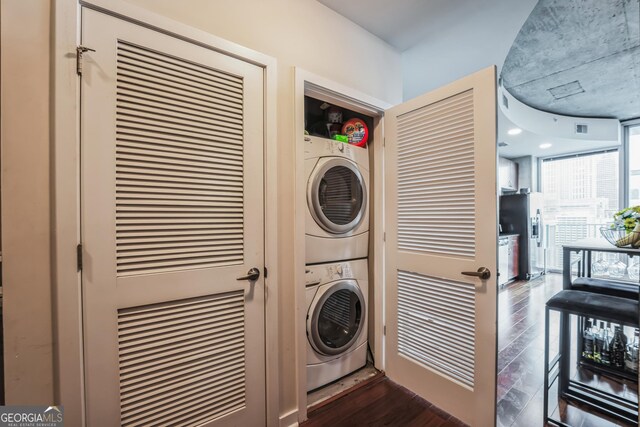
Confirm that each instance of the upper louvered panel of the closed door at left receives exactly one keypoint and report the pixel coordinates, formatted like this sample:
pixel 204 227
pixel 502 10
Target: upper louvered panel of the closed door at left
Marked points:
pixel 179 164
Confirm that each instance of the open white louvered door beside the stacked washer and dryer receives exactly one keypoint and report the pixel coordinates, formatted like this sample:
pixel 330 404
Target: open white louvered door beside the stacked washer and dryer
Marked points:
pixel 441 220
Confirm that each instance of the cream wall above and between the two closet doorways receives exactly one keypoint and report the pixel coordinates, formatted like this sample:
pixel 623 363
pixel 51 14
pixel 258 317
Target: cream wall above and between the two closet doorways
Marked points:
pixel 302 33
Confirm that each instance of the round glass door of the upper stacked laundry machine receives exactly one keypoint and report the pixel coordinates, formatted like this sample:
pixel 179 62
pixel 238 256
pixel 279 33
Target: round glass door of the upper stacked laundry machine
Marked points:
pixel 337 195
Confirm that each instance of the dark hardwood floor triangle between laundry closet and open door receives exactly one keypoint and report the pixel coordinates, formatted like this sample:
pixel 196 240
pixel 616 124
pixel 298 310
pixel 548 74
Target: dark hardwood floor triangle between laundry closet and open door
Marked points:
pixel 380 402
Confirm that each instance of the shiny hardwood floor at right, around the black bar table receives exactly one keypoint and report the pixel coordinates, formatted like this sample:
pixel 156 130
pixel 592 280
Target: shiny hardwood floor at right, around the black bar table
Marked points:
pixel 521 358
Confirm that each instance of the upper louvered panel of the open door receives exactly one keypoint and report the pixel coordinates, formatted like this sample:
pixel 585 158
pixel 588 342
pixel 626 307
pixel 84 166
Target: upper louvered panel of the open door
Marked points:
pixel 431 175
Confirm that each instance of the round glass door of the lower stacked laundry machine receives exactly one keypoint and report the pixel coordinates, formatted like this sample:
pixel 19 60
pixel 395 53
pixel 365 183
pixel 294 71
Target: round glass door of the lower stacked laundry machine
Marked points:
pixel 336 317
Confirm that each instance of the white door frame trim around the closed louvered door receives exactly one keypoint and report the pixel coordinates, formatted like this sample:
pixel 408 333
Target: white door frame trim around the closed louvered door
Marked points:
pixel 68 363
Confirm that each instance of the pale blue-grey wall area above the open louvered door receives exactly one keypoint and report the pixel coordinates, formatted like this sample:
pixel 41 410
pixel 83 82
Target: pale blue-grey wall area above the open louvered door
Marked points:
pixel 469 37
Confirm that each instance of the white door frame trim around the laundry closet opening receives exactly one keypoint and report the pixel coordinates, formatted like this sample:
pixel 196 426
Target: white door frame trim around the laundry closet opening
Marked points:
pixel 307 83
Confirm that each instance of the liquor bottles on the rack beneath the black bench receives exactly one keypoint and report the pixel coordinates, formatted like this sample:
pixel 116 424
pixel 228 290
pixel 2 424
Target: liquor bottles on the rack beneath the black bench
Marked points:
pixel 609 347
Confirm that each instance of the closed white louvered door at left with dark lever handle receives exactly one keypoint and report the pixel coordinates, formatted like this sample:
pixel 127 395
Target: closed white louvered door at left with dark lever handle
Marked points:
pixel 172 214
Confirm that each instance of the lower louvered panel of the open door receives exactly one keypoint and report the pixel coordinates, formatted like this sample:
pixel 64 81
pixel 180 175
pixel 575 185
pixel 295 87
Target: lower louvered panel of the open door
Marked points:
pixel 436 324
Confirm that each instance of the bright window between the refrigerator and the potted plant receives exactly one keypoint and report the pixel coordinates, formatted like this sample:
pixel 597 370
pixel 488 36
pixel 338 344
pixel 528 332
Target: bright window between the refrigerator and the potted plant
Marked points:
pixel 581 194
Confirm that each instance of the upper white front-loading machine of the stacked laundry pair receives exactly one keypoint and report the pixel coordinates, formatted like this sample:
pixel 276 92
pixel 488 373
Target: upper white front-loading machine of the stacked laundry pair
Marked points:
pixel 337 215
